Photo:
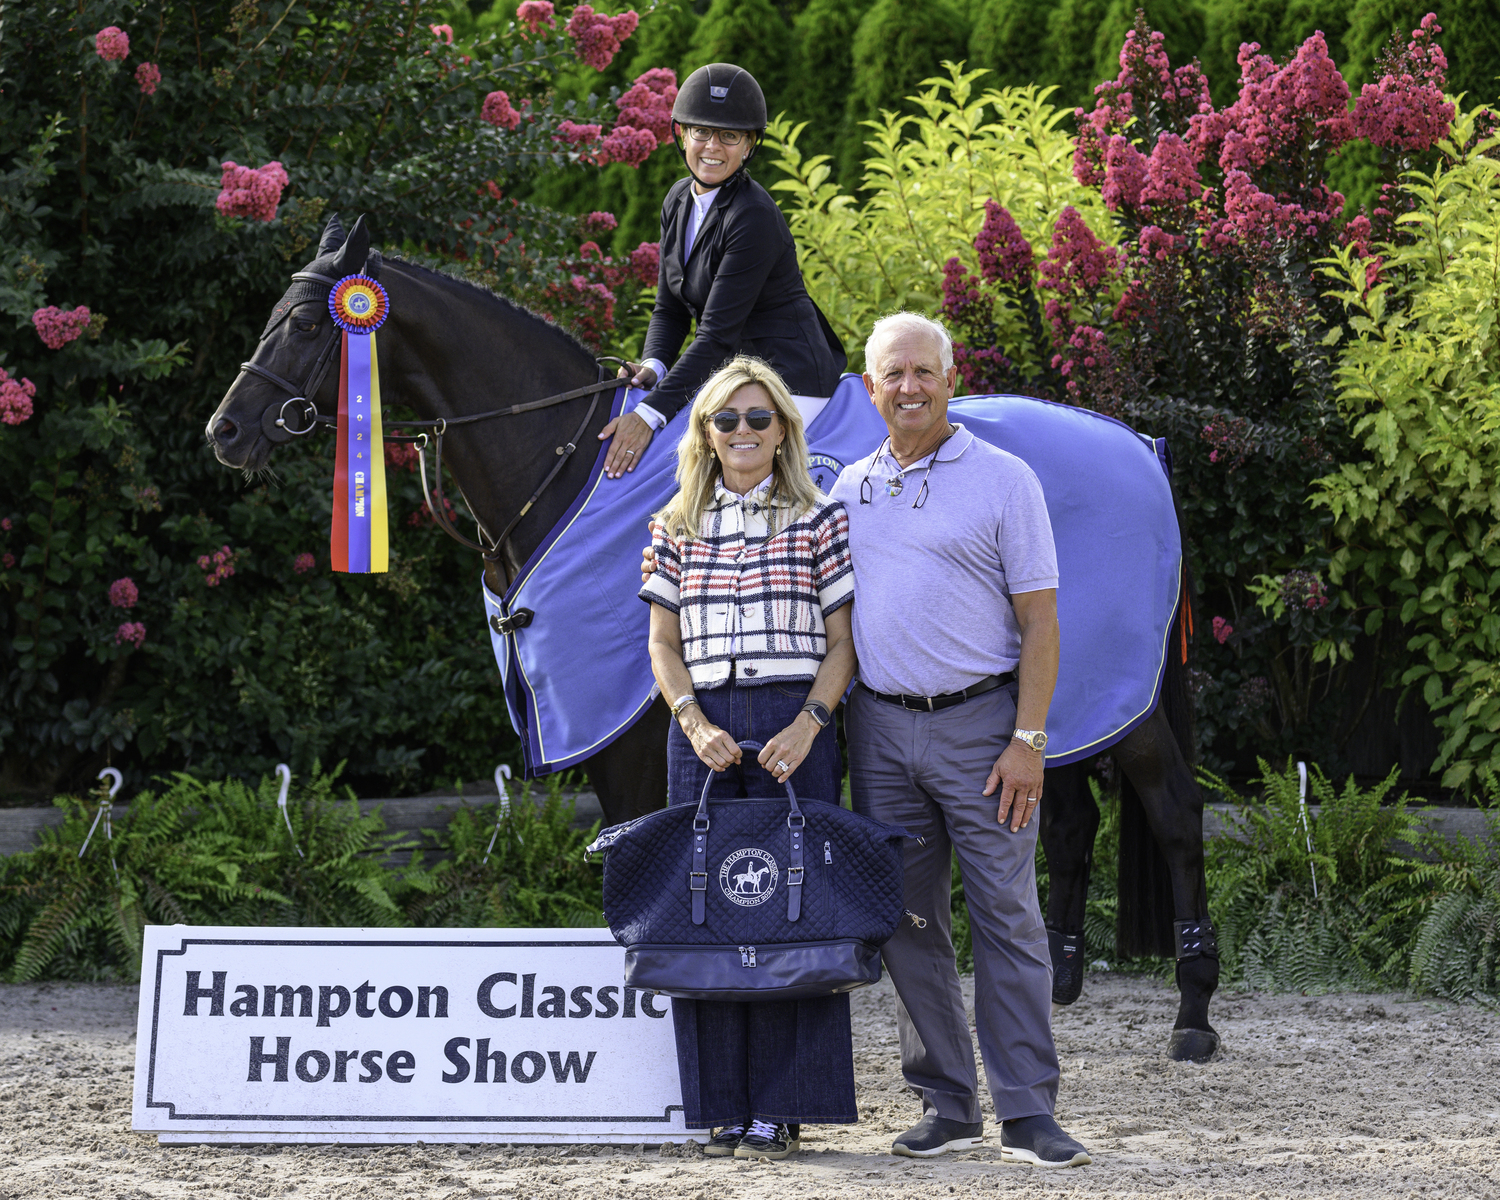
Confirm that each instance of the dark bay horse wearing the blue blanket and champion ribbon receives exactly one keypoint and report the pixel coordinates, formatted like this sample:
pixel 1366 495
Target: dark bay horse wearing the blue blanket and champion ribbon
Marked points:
pixel 451 349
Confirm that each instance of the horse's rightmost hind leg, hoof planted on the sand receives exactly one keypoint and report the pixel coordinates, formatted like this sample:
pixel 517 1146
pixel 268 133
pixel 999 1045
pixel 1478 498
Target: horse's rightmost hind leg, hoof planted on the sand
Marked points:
pixel 1154 764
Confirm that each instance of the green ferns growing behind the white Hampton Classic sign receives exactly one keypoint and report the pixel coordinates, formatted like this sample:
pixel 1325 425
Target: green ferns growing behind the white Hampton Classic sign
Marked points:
pixel 221 854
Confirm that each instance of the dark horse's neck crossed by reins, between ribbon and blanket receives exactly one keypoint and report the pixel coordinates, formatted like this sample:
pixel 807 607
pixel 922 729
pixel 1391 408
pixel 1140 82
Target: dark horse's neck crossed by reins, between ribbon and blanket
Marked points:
pixel 461 352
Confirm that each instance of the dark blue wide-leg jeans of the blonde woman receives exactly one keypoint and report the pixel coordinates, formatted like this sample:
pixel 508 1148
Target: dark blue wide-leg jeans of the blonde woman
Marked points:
pixel 782 1061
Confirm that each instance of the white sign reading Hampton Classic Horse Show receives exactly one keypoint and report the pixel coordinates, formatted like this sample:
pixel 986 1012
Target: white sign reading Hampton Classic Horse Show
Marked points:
pixel 400 1036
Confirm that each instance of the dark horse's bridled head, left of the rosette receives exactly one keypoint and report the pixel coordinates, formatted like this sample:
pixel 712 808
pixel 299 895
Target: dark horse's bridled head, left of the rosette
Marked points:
pixel 298 358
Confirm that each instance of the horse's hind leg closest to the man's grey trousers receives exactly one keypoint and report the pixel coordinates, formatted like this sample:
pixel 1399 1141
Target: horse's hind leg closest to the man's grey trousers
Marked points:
pixel 1069 821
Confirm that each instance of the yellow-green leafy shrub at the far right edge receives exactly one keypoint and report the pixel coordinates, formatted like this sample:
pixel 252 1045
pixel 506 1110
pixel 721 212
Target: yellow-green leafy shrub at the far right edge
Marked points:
pixel 1420 509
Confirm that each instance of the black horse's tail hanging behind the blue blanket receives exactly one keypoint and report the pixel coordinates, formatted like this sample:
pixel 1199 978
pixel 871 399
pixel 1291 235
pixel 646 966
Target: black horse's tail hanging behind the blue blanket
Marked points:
pixel 1147 911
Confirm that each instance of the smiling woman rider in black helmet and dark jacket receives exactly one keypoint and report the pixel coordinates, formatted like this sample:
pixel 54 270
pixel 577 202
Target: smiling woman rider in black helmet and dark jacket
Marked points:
pixel 728 265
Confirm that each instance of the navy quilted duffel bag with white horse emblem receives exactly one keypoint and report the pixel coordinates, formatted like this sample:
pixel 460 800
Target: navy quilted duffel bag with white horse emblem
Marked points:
pixel 752 899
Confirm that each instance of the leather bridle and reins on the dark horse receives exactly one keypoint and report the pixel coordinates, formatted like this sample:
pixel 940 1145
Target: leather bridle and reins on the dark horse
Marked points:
pixel 494 551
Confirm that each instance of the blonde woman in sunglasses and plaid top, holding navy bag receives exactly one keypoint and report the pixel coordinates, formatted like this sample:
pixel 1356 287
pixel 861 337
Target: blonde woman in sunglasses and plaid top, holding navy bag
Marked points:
pixel 752 641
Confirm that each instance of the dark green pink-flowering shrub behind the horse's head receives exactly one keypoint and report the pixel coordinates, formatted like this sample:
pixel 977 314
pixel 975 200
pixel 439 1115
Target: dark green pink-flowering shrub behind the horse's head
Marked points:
pixel 230 647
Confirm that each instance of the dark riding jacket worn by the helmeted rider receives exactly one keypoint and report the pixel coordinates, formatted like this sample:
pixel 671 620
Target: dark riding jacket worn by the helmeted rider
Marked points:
pixel 745 290
